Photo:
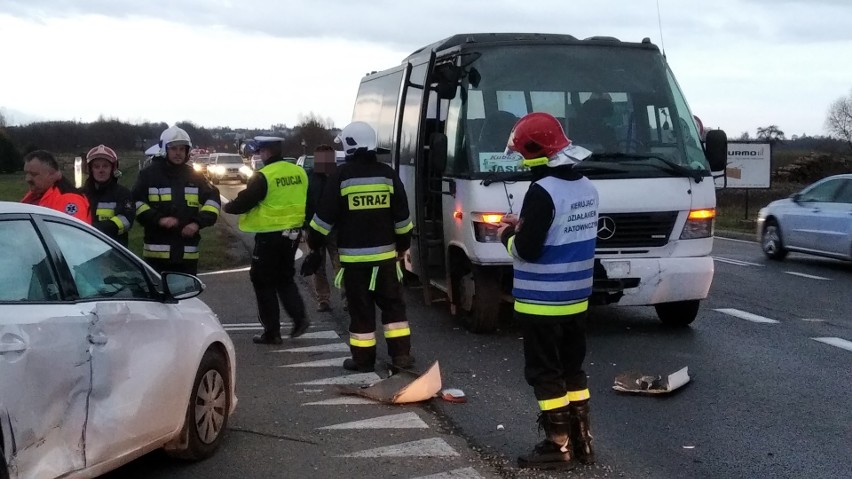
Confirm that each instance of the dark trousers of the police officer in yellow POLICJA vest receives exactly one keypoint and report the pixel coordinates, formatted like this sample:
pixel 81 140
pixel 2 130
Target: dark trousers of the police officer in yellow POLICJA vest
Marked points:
pixel 272 270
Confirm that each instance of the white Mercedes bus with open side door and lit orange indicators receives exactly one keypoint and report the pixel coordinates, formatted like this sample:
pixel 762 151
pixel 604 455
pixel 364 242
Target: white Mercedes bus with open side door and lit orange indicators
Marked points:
pixel 444 116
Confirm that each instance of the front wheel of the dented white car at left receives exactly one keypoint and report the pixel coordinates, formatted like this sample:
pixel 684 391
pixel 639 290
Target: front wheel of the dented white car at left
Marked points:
pixel 208 410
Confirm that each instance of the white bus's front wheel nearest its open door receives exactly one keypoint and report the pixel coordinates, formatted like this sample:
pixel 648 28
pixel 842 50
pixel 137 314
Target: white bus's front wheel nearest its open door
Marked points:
pixel 480 299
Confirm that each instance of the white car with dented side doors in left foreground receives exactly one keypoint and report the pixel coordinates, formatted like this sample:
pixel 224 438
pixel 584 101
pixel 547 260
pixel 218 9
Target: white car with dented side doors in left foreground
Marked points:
pixel 101 359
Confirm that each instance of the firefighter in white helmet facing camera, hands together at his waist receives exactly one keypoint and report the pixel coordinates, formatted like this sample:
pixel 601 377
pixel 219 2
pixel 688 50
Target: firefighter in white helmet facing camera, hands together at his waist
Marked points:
pixel 173 203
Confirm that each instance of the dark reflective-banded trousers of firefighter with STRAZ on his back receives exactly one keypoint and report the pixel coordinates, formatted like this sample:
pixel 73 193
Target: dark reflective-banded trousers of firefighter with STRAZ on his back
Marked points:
pixel 387 295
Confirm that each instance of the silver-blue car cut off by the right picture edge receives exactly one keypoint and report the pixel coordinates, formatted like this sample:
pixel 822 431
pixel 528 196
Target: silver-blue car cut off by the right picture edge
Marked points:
pixel 817 220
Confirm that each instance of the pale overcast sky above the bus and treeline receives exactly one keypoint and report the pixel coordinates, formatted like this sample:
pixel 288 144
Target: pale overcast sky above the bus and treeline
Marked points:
pixel 742 64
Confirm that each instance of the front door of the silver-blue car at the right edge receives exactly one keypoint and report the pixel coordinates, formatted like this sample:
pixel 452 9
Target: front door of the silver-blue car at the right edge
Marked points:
pixel 805 222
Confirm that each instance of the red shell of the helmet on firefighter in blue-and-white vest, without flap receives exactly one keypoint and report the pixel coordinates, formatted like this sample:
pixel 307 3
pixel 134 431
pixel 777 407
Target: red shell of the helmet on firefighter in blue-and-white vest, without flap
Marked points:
pixel 537 135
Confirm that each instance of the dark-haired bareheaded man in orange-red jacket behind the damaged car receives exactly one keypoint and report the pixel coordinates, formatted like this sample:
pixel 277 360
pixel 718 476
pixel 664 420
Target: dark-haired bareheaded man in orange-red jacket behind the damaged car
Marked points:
pixel 50 189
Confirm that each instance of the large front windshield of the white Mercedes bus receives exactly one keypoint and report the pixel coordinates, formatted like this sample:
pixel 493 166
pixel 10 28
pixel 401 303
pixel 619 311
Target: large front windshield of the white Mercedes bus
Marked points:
pixel 620 102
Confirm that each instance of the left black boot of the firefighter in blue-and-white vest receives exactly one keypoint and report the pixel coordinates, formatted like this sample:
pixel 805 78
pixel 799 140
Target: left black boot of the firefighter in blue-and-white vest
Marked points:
pixel 555 451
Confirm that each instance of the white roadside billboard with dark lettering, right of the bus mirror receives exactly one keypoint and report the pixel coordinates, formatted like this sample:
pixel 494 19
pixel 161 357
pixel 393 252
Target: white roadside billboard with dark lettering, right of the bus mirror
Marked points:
pixel 748 166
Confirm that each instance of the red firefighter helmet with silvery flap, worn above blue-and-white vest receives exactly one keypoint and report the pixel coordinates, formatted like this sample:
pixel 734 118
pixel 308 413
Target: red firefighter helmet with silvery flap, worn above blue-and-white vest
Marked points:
pixel 539 138
